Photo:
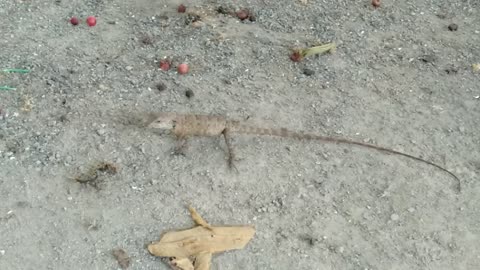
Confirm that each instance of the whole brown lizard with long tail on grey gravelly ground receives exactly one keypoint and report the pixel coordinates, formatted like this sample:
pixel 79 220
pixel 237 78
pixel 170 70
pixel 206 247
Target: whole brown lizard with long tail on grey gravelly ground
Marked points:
pixel 184 125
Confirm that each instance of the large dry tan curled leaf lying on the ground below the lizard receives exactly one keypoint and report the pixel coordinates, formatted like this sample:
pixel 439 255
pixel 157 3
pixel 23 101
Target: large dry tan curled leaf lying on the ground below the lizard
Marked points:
pixel 193 248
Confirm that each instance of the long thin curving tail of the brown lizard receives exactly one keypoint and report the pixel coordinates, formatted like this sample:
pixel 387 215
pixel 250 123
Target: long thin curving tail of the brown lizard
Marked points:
pixel 282 132
